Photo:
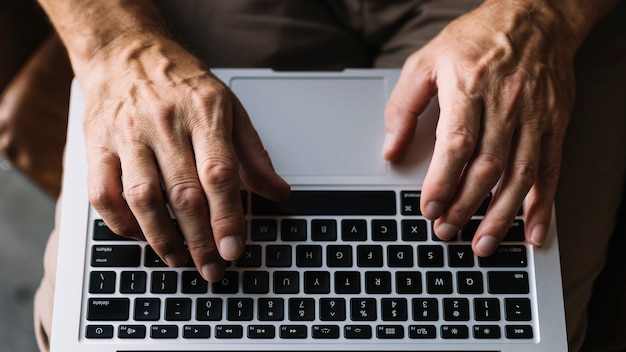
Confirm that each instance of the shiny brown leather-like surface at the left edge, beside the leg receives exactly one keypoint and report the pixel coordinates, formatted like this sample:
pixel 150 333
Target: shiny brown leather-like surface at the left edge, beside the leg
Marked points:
pixel 33 116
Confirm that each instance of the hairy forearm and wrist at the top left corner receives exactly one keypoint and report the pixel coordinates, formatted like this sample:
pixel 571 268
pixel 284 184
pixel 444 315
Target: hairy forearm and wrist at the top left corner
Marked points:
pixel 89 26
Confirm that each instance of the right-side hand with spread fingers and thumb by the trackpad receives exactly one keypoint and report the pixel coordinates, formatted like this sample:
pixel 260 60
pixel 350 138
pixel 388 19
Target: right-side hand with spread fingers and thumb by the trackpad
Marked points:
pixel 504 77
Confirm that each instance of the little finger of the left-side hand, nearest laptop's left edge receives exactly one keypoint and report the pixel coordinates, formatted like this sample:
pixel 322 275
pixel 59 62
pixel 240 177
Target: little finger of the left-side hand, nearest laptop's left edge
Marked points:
pixel 105 192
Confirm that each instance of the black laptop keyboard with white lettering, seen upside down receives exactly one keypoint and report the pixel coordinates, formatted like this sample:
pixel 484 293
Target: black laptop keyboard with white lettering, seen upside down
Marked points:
pixel 324 265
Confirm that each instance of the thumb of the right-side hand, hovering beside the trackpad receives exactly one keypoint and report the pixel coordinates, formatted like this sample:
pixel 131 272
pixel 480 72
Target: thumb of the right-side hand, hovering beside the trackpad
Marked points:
pixel 407 101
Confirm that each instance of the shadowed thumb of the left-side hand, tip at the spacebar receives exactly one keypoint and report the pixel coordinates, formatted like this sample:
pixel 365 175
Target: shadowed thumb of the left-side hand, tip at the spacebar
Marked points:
pixel 256 168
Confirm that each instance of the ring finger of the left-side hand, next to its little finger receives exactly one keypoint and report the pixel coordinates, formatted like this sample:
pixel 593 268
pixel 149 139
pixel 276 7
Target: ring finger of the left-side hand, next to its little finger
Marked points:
pixel 143 192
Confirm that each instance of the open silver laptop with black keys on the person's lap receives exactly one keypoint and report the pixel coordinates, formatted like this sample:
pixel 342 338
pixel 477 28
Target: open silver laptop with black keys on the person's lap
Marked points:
pixel 347 263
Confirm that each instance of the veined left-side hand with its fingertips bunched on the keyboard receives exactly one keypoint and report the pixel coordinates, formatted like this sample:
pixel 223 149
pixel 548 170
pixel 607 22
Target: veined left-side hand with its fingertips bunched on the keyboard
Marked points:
pixel 161 129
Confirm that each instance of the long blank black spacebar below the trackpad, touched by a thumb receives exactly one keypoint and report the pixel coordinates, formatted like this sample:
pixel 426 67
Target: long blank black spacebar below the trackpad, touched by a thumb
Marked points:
pixel 328 203
